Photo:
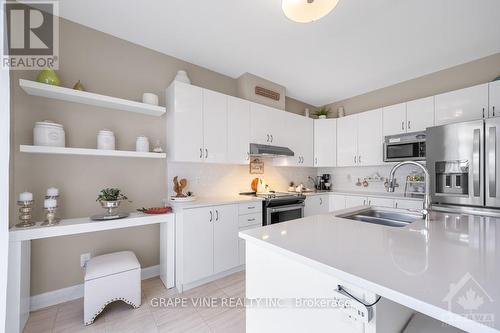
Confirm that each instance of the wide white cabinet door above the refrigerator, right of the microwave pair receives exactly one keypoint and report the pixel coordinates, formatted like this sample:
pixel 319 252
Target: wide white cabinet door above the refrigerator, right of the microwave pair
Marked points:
pixel 462 105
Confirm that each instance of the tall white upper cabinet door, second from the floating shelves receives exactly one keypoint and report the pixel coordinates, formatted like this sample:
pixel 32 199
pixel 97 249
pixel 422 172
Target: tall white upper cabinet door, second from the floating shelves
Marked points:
pixel 214 126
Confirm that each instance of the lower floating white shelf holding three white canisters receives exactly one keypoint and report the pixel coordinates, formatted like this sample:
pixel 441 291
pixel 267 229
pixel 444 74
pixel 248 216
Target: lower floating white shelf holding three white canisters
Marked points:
pixel 86 151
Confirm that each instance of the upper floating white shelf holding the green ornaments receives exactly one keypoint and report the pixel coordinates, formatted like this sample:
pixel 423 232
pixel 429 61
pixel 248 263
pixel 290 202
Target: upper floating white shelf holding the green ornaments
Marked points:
pixel 83 97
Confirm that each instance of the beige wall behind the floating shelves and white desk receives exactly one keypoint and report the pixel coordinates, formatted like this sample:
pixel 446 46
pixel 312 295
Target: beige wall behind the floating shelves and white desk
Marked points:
pixel 110 66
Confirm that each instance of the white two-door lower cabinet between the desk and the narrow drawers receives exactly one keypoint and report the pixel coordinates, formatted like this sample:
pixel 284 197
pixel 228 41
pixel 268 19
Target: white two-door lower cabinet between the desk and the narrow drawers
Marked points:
pixel 207 242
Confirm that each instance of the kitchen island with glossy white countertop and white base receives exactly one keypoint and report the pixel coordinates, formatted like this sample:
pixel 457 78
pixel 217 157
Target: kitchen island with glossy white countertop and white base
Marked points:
pixel 446 268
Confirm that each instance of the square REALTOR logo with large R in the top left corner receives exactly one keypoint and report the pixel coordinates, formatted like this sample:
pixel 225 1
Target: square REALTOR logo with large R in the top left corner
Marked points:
pixel 32 39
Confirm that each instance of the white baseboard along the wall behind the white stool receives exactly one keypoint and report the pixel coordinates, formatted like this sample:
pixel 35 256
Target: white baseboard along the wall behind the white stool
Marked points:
pixel 54 297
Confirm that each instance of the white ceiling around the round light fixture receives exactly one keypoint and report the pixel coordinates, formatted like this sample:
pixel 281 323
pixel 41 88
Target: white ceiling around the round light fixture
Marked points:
pixel 361 46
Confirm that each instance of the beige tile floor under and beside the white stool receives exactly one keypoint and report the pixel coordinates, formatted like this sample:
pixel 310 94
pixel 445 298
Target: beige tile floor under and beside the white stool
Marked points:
pixel 121 318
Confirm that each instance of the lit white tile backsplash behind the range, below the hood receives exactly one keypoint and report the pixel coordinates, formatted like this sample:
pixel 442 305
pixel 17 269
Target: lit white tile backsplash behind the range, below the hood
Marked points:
pixel 206 179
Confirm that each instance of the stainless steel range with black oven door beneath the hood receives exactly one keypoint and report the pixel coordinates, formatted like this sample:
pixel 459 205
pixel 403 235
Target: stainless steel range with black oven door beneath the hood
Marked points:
pixel 280 206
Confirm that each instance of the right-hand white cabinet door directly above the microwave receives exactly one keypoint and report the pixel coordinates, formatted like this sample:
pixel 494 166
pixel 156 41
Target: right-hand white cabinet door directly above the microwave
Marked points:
pixel 419 114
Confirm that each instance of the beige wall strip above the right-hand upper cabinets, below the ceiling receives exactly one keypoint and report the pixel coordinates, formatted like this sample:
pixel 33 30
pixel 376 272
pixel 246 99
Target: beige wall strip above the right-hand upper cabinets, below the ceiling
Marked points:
pixel 466 75
